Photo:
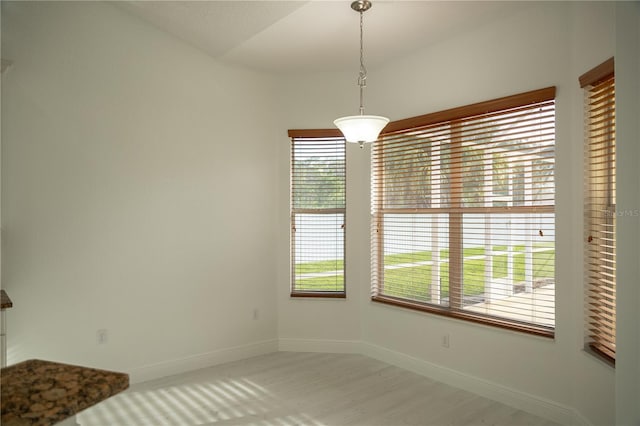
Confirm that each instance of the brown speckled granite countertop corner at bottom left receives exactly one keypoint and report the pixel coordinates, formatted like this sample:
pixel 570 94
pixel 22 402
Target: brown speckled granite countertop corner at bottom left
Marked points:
pixel 43 393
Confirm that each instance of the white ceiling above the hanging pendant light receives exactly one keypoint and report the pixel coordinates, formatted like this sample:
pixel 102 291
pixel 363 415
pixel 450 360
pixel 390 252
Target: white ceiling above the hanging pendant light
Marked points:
pixel 320 35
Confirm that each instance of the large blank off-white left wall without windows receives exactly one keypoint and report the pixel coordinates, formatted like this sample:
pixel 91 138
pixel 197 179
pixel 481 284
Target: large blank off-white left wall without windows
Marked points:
pixel 137 177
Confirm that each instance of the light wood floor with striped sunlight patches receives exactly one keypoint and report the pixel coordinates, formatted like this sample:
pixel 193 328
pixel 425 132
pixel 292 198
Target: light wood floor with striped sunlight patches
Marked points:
pixel 296 388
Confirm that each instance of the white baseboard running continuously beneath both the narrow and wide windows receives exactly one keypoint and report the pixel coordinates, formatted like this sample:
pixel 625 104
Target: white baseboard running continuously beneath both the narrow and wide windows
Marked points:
pixel 530 403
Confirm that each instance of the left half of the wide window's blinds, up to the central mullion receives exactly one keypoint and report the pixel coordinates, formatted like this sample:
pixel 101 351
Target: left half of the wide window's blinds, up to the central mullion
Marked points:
pixel 407 188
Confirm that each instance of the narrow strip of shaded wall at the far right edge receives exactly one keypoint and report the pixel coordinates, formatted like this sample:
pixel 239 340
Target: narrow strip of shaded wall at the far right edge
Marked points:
pixel 628 205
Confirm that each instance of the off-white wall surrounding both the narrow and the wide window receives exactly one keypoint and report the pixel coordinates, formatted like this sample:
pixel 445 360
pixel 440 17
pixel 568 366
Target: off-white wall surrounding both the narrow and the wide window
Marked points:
pixel 547 44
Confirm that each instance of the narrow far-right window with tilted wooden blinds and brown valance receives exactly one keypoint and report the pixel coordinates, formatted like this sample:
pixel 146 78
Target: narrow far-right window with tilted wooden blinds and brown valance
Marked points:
pixel 600 209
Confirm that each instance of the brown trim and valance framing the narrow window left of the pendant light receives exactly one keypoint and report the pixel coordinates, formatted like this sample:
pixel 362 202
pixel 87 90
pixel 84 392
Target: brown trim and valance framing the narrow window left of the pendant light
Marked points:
pixel 314 134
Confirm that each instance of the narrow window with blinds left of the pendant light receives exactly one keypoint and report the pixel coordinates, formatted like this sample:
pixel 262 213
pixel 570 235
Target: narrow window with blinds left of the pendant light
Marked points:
pixel 317 214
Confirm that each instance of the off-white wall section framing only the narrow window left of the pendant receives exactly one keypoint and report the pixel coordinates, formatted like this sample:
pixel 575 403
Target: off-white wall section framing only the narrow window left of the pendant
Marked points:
pixel 333 321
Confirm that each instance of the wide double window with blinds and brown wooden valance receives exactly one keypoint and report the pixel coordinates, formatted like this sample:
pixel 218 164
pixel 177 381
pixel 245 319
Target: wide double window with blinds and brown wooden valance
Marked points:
pixel 463 220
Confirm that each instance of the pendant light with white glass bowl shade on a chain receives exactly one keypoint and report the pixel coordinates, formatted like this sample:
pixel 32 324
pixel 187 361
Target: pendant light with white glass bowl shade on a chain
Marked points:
pixel 361 128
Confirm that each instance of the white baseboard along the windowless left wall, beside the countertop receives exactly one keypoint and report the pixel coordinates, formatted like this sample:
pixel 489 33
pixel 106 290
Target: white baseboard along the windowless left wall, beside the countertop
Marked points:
pixel 195 362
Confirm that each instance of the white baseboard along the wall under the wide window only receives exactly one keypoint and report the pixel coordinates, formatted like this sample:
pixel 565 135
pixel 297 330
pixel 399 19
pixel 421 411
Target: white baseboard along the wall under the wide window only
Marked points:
pixel 530 403
